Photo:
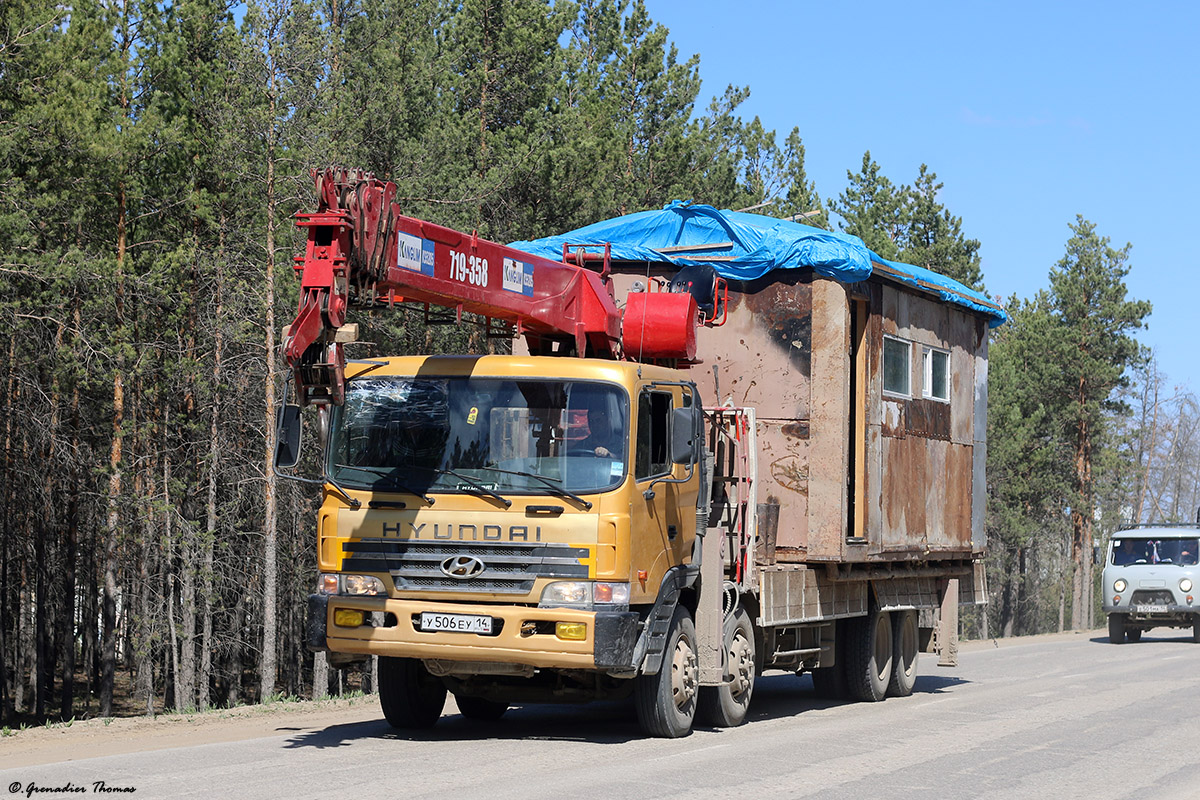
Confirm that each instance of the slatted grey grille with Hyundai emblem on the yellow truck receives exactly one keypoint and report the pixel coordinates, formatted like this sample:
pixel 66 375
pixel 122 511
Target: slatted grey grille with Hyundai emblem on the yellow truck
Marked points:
pixel 502 569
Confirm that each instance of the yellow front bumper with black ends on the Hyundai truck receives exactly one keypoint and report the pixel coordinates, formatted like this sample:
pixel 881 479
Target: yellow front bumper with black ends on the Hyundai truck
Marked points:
pixel 520 637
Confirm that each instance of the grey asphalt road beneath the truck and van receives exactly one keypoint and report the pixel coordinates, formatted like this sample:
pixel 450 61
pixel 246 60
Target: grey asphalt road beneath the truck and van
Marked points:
pixel 1061 717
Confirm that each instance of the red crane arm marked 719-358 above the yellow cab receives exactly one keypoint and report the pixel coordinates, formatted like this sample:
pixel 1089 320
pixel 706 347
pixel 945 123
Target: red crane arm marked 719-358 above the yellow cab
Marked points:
pixel 363 250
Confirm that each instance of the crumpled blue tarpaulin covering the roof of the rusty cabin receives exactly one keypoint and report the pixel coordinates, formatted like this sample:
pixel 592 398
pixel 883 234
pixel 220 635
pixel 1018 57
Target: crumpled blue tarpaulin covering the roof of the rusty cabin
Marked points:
pixel 747 246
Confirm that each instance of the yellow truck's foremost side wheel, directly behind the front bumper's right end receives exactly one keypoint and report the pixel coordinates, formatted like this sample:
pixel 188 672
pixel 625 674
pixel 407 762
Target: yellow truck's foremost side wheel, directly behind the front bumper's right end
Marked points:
pixel 667 702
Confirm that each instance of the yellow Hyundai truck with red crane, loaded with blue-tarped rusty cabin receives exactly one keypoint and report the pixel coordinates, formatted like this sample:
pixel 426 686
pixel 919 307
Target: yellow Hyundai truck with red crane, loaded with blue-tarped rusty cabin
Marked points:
pixel 723 444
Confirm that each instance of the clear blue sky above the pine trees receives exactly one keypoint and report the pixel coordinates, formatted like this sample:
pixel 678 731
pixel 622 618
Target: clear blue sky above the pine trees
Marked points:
pixel 1029 113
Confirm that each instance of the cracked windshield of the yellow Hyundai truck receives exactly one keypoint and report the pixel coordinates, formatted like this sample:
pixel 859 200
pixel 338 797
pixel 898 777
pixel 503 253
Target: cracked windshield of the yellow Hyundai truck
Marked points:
pixel 459 435
